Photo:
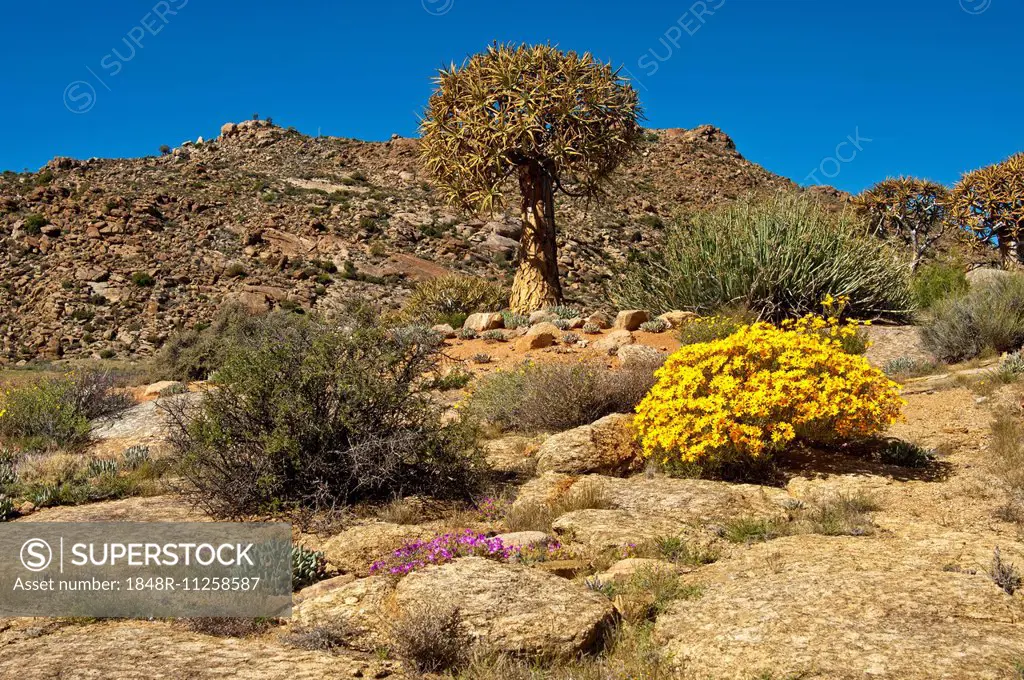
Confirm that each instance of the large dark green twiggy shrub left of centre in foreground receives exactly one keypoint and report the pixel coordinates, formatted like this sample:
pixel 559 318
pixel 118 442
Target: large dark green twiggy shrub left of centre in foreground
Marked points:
pixel 309 415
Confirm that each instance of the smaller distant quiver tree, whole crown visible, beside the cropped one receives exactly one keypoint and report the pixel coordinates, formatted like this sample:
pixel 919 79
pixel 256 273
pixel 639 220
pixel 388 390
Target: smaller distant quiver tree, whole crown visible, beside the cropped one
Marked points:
pixel 908 210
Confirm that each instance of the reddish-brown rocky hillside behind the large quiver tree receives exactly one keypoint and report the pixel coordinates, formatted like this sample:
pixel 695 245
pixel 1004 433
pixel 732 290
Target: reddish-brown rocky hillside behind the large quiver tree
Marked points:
pixel 108 258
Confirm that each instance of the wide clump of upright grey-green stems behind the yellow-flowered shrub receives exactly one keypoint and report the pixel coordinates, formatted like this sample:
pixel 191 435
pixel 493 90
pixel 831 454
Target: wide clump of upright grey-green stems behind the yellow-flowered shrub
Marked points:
pixel 779 257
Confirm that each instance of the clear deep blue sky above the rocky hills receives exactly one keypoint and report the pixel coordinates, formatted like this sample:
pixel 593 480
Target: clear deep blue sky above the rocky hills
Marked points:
pixel 931 88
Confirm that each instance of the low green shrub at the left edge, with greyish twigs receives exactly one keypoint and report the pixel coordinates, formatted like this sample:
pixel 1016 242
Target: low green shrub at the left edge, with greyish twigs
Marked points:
pixel 56 412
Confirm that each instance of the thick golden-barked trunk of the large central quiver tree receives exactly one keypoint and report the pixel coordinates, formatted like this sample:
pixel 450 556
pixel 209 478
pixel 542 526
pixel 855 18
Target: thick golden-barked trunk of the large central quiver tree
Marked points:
pixel 536 285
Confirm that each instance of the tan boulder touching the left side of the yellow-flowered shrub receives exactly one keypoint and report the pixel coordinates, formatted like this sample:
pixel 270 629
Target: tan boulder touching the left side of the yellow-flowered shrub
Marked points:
pixel 594 448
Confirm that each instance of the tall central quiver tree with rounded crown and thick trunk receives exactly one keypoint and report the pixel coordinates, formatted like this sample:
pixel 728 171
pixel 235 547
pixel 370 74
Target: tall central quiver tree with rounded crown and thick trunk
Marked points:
pixel 557 121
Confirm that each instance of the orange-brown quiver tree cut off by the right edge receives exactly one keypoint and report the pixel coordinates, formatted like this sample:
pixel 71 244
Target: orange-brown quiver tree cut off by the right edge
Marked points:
pixel 990 202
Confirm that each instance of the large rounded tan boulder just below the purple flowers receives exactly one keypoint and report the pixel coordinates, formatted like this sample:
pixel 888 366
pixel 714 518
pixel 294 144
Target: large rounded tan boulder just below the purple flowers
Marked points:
pixel 513 609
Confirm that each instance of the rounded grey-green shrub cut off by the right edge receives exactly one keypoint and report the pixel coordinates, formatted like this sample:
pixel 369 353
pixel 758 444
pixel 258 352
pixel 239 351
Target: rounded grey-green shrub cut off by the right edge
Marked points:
pixel 989 319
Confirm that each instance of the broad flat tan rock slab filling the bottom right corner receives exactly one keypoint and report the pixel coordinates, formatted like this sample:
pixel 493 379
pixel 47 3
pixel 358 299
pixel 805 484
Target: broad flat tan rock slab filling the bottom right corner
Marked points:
pixel 844 608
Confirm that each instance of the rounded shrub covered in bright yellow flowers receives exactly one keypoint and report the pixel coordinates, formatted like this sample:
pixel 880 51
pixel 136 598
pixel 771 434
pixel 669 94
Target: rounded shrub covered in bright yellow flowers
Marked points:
pixel 762 389
